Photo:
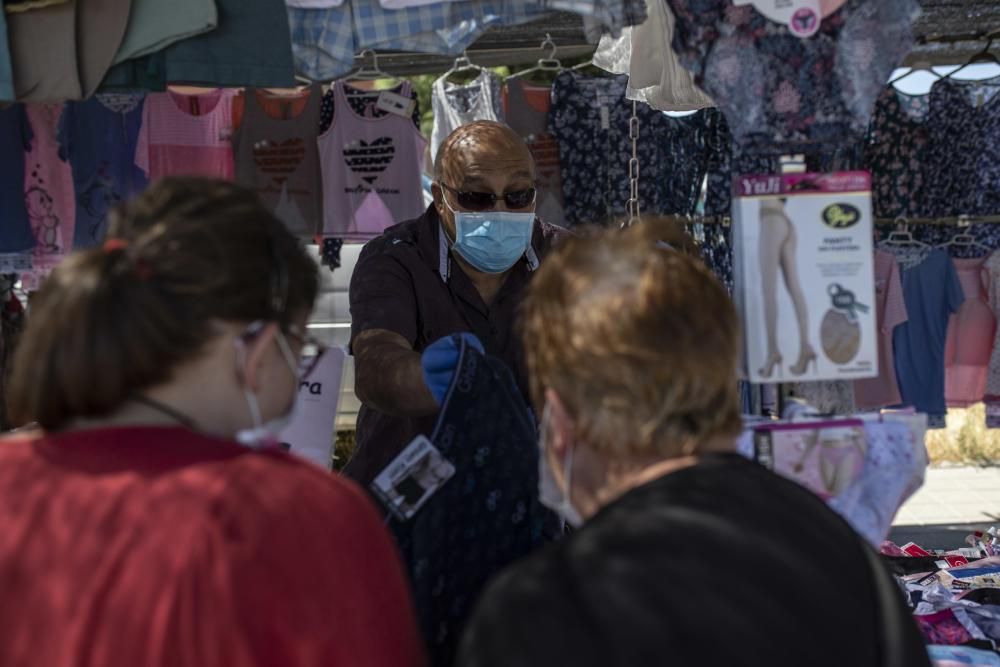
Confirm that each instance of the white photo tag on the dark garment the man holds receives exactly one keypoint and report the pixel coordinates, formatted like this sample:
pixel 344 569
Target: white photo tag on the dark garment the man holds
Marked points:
pixel 412 478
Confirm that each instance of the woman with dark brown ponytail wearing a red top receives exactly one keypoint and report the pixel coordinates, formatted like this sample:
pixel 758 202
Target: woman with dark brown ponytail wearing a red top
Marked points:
pixel 135 529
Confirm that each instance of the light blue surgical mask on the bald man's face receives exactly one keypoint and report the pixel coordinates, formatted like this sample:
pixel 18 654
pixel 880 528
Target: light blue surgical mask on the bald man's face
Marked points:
pixel 492 241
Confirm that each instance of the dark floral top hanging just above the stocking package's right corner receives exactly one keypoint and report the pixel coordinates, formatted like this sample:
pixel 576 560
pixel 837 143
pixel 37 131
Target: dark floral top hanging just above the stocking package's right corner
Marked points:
pixel 896 154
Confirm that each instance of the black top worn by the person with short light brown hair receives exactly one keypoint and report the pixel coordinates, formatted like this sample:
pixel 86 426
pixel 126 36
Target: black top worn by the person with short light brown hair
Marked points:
pixel 723 563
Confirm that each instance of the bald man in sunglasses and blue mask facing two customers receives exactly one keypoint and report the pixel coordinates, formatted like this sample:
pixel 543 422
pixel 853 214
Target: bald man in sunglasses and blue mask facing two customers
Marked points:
pixel 461 267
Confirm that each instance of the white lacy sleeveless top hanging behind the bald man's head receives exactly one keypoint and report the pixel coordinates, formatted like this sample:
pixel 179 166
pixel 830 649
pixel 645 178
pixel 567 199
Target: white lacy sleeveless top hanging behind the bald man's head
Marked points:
pixel 456 105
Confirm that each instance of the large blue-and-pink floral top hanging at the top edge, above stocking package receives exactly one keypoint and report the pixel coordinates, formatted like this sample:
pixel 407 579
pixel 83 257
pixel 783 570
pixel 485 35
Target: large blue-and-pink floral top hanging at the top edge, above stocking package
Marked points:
pixel 782 94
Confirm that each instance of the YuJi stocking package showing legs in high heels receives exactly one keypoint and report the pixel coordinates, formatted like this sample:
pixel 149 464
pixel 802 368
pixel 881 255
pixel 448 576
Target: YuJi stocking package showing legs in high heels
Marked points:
pixel 805 276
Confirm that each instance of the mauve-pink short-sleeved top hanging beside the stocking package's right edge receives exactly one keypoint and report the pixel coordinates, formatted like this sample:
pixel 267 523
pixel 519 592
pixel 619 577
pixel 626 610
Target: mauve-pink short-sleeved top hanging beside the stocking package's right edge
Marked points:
pixel 890 304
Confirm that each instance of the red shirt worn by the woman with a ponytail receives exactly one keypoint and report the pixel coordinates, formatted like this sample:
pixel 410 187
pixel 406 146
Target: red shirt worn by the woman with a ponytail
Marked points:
pixel 157 546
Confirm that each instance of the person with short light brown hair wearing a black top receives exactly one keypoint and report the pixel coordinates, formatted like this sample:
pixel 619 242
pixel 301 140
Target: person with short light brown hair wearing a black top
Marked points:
pixel 685 553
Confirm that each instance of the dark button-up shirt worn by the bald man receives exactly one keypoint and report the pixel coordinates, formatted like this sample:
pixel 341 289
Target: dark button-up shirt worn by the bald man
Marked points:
pixel 398 286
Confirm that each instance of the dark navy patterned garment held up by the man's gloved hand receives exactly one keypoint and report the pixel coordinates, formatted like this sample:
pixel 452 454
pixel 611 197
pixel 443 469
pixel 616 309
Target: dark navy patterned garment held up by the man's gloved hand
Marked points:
pixel 487 515
